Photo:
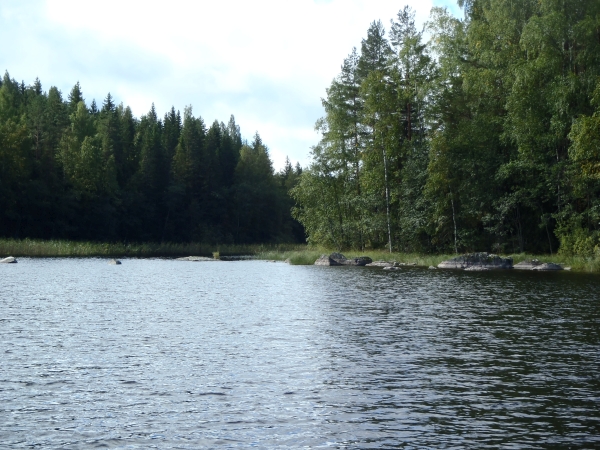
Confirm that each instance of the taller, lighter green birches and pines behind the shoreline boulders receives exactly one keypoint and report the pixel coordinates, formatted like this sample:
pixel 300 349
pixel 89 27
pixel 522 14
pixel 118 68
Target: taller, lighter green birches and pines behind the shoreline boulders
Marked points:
pixel 485 137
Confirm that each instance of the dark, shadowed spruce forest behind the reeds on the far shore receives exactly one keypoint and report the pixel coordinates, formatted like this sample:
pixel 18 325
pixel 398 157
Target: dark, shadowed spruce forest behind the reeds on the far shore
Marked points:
pixel 73 171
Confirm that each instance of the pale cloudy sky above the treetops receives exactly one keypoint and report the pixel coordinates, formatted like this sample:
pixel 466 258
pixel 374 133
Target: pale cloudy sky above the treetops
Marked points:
pixel 267 62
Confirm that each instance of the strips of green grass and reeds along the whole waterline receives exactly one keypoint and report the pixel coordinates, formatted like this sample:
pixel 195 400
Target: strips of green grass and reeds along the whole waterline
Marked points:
pixel 296 254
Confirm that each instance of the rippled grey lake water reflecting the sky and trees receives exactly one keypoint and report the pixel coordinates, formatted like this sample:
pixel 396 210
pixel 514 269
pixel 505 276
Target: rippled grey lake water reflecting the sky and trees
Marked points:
pixel 168 354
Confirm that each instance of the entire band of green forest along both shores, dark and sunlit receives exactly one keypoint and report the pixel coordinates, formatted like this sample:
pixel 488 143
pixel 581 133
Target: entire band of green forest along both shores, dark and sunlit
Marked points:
pixel 480 133
